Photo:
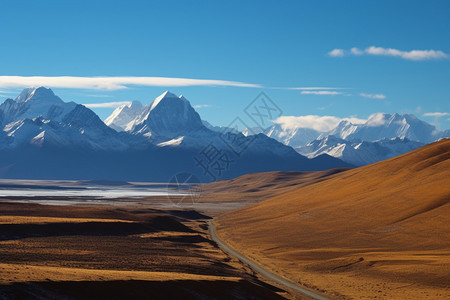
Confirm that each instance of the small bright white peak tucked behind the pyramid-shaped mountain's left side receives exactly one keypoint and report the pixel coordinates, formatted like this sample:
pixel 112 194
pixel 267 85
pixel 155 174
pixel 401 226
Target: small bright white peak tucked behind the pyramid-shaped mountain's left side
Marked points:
pixel 122 117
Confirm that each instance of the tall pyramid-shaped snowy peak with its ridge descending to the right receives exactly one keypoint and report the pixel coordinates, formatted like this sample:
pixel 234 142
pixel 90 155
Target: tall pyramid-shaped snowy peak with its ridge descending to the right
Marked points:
pixel 171 121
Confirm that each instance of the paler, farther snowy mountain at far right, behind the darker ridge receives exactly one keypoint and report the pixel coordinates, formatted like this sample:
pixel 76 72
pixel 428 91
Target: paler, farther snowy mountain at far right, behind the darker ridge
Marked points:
pixel 387 126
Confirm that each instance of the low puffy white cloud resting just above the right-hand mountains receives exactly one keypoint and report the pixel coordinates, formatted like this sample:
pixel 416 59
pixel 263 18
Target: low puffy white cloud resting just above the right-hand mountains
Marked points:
pixel 318 123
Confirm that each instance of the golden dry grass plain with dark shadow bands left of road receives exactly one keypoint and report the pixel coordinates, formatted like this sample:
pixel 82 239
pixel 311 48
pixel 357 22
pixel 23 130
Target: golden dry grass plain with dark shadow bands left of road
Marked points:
pixel 115 253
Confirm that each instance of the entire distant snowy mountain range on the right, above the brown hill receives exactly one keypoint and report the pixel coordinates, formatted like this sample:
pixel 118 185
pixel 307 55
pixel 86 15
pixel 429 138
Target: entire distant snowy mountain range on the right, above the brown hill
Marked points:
pixel 381 137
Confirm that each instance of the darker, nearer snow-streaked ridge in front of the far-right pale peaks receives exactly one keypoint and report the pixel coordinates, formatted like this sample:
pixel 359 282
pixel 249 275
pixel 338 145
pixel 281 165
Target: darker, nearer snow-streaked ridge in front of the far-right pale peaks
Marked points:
pixel 359 153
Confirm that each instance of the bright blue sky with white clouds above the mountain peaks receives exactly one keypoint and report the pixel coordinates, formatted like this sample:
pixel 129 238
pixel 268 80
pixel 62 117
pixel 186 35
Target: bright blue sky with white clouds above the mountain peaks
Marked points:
pixel 270 45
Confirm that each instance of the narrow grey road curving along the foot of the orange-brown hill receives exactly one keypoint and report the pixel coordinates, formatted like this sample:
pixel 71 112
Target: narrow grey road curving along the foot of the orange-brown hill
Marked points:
pixel 261 270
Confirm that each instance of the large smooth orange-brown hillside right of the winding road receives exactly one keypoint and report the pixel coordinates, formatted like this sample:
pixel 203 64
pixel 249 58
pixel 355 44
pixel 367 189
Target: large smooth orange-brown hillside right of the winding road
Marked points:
pixel 377 231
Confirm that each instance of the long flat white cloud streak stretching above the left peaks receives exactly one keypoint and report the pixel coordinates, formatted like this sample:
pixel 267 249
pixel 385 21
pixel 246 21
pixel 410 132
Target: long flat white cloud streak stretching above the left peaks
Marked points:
pixel 111 83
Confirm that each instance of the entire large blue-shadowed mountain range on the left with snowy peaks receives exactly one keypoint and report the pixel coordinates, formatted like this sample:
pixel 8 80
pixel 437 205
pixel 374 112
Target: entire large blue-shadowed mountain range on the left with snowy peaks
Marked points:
pixel 43 137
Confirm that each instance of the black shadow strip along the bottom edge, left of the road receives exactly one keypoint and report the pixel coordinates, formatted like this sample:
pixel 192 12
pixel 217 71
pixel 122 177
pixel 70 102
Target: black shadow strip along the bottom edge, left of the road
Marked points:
pixel 137 289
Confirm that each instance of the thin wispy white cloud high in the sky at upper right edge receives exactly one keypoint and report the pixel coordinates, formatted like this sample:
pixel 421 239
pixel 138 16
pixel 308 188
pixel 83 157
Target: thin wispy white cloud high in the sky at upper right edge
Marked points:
pixel 415 55
